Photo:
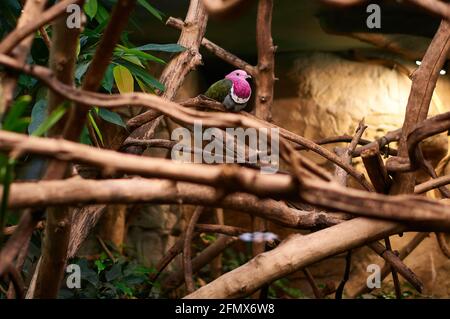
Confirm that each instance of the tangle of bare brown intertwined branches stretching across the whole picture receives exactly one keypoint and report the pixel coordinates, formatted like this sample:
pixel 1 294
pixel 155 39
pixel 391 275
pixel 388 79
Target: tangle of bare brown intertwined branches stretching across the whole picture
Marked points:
pixel 385 206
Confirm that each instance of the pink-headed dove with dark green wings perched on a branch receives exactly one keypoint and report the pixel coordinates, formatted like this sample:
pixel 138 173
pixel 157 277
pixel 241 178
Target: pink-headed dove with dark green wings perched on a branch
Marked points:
pixel 233 91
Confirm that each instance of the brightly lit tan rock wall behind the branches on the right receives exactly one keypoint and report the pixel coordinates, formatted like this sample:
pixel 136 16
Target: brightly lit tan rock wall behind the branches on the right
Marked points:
pixel 332 95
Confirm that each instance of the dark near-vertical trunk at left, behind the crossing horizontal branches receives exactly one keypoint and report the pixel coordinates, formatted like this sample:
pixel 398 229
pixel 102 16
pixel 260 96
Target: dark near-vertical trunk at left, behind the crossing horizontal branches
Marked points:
pixel 63 55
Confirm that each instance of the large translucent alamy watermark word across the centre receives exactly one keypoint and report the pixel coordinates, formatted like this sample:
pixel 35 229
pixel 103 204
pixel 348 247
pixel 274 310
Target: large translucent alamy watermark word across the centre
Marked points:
pixel 228 146
